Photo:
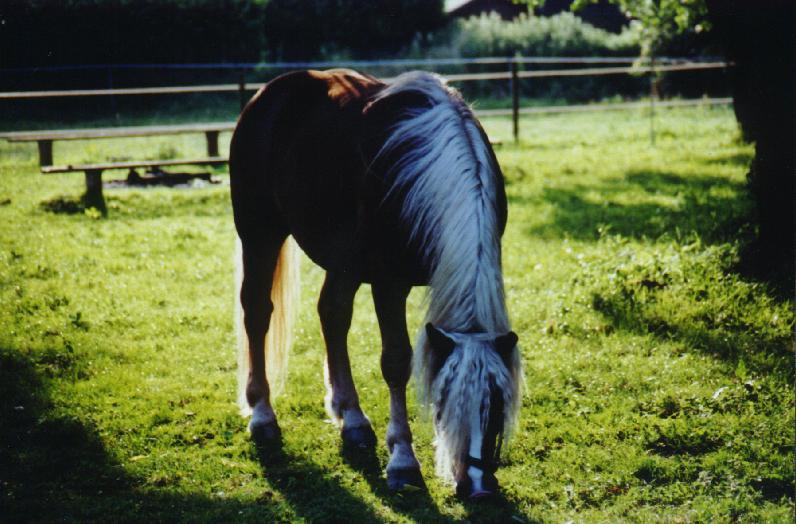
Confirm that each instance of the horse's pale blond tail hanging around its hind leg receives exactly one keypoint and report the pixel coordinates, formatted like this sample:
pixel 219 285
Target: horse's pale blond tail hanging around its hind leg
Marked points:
pixel 285 293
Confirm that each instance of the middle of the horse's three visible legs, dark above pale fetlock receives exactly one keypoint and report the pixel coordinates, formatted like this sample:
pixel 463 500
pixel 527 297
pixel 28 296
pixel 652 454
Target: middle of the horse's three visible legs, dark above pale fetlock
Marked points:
pixel 335 308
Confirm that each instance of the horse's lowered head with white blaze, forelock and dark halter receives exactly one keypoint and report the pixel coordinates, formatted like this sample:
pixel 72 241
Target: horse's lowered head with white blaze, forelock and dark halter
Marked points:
pixel 473 382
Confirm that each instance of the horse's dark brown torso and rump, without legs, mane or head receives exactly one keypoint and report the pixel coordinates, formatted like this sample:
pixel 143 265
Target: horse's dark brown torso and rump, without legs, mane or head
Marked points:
pixel 302 161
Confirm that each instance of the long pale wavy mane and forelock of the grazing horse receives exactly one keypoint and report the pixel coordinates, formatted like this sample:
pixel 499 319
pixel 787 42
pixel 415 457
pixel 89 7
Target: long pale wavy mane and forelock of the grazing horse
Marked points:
pixel 445 172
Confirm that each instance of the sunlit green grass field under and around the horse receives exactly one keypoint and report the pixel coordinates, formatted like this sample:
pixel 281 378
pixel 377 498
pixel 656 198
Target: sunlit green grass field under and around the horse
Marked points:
pixel 659 382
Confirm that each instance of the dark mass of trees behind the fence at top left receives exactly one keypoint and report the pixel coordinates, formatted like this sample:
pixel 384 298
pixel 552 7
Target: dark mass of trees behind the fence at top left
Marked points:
pixel 64 32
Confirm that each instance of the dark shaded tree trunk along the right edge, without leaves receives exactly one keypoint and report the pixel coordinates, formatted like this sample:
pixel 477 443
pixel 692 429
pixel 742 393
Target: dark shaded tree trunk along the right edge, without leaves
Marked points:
pixel 758 37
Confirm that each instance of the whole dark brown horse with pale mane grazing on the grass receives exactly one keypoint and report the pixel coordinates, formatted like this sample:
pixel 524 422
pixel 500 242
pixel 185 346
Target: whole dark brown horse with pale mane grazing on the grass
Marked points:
pixel 394 185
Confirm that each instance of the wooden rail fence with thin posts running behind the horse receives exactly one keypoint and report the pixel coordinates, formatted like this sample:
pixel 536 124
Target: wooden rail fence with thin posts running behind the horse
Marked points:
pixel 512 74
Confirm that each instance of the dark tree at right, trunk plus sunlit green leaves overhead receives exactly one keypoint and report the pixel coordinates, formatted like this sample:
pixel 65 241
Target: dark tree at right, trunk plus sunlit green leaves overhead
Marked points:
pixel 758 39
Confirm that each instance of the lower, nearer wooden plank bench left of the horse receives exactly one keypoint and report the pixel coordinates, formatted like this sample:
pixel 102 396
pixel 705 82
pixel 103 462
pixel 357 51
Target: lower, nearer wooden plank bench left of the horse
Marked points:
pixel 94 196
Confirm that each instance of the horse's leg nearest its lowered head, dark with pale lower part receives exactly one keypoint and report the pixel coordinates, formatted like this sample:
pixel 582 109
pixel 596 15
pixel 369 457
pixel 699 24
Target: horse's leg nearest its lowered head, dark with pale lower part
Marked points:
pixel 396 357
